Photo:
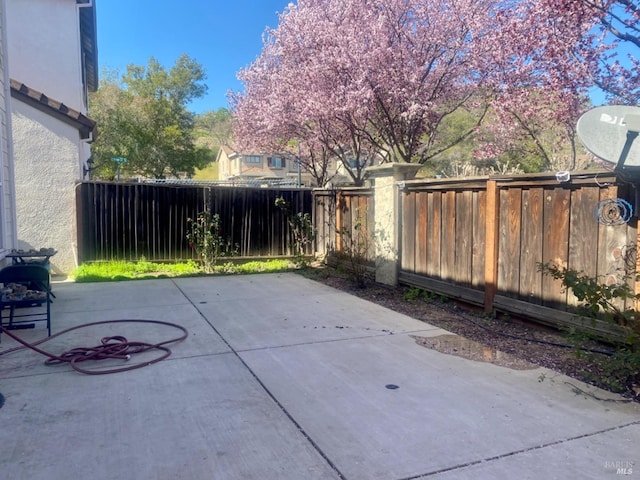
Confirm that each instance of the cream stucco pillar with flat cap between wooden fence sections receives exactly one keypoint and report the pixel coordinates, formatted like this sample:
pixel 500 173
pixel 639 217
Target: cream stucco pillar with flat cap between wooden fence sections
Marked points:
pixel 387 217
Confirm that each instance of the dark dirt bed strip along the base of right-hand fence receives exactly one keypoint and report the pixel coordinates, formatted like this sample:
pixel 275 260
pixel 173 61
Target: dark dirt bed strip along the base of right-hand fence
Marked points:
pixel 507 341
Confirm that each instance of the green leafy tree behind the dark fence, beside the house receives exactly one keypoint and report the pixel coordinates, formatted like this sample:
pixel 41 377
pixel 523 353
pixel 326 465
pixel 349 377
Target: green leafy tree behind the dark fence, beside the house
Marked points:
pixel 143 117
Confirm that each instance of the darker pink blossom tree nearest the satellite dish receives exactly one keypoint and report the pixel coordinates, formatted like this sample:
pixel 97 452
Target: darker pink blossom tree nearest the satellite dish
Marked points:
pixel 551 54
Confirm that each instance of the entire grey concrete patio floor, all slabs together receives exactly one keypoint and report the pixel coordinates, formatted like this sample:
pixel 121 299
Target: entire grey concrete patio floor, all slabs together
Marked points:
pixel 260 390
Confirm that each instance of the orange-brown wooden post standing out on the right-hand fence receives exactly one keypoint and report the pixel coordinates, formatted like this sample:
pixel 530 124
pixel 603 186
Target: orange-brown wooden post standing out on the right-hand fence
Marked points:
pixel 491 244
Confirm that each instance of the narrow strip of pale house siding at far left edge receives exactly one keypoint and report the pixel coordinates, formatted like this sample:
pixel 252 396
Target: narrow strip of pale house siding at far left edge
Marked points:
pixel 8 239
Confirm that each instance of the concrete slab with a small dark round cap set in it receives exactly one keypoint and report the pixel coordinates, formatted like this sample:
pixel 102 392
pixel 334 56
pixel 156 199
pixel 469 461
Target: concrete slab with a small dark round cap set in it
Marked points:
pixel 447 411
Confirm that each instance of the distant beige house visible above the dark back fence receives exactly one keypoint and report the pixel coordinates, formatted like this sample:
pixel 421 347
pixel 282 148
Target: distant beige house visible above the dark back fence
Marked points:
pixel 257 167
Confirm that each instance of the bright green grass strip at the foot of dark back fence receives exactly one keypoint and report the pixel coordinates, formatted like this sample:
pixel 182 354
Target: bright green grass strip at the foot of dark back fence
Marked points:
pixel 143 269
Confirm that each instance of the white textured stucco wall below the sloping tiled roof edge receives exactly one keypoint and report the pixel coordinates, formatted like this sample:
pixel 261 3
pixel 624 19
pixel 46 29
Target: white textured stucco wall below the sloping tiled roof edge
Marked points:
pixel 46 155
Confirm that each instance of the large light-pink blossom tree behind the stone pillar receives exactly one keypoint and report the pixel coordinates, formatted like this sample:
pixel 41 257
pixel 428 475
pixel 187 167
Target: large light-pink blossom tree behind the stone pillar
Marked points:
pixel 367 78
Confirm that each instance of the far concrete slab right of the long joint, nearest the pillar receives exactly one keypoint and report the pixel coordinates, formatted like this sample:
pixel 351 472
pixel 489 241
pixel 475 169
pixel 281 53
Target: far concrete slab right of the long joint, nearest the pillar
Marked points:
pixel 309 312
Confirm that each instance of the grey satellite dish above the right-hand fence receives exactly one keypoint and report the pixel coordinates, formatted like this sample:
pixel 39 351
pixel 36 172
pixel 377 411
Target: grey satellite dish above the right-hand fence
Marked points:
pixel 611 133
